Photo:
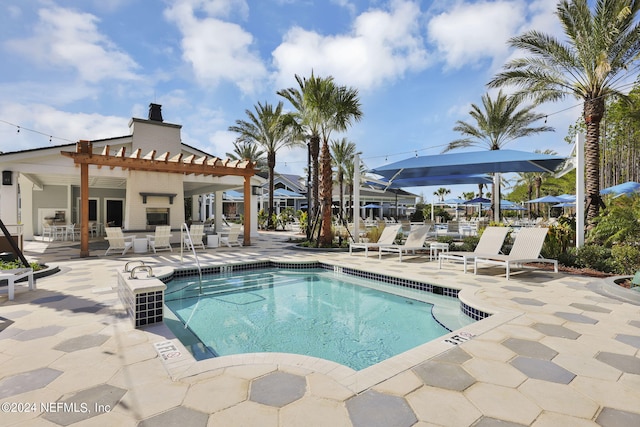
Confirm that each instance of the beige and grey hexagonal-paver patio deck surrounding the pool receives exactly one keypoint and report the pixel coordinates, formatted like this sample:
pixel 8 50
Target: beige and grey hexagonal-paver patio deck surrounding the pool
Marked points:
pixel 554 352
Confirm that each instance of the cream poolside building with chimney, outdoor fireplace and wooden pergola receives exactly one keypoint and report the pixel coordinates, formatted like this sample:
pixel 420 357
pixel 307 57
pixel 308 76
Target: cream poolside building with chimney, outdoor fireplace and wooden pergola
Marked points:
pixel 136 181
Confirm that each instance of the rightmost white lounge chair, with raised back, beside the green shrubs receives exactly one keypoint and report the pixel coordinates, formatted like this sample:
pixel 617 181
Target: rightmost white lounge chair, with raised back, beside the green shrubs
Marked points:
pixel 526 249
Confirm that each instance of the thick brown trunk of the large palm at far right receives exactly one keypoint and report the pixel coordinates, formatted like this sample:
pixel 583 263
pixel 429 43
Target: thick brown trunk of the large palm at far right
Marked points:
pixel 593 113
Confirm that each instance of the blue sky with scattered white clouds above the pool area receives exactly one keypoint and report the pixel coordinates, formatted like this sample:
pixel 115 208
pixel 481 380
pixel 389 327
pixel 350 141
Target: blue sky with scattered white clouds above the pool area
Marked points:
pixel 81 70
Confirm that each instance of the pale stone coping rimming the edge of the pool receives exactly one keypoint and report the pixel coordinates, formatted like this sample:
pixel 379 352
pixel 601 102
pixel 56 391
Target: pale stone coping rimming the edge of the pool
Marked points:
pixel 180 363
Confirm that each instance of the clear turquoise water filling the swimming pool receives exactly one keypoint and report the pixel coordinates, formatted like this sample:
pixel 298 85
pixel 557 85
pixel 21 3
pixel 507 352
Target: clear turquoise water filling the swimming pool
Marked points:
pixel 311 312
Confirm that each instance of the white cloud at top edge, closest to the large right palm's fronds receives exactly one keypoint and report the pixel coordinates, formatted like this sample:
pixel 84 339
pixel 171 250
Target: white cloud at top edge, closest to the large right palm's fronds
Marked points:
pixel 468 33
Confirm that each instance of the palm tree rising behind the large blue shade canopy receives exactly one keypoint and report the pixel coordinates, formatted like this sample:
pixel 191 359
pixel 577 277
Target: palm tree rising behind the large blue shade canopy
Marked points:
pixel 498 122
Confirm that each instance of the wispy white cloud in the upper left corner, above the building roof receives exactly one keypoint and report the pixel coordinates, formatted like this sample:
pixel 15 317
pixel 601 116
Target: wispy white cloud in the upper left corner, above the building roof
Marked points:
pixel 65 38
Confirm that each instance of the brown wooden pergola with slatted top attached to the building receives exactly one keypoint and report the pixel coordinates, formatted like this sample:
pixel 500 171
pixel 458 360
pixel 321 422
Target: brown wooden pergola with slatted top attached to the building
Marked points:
pixel 191 164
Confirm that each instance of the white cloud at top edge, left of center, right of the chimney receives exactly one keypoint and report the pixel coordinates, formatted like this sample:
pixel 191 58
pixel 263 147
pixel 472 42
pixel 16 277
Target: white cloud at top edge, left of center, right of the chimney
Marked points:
pixel 217 50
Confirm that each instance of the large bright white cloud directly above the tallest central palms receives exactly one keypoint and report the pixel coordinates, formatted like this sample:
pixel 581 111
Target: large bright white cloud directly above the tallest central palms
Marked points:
pixel 381 47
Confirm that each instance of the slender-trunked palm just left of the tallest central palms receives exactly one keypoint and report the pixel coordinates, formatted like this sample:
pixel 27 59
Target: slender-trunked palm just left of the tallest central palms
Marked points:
pixel 267 128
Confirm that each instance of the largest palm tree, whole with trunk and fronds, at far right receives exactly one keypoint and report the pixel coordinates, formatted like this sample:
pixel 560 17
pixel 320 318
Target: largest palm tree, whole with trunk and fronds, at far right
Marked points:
pixel 602 48
